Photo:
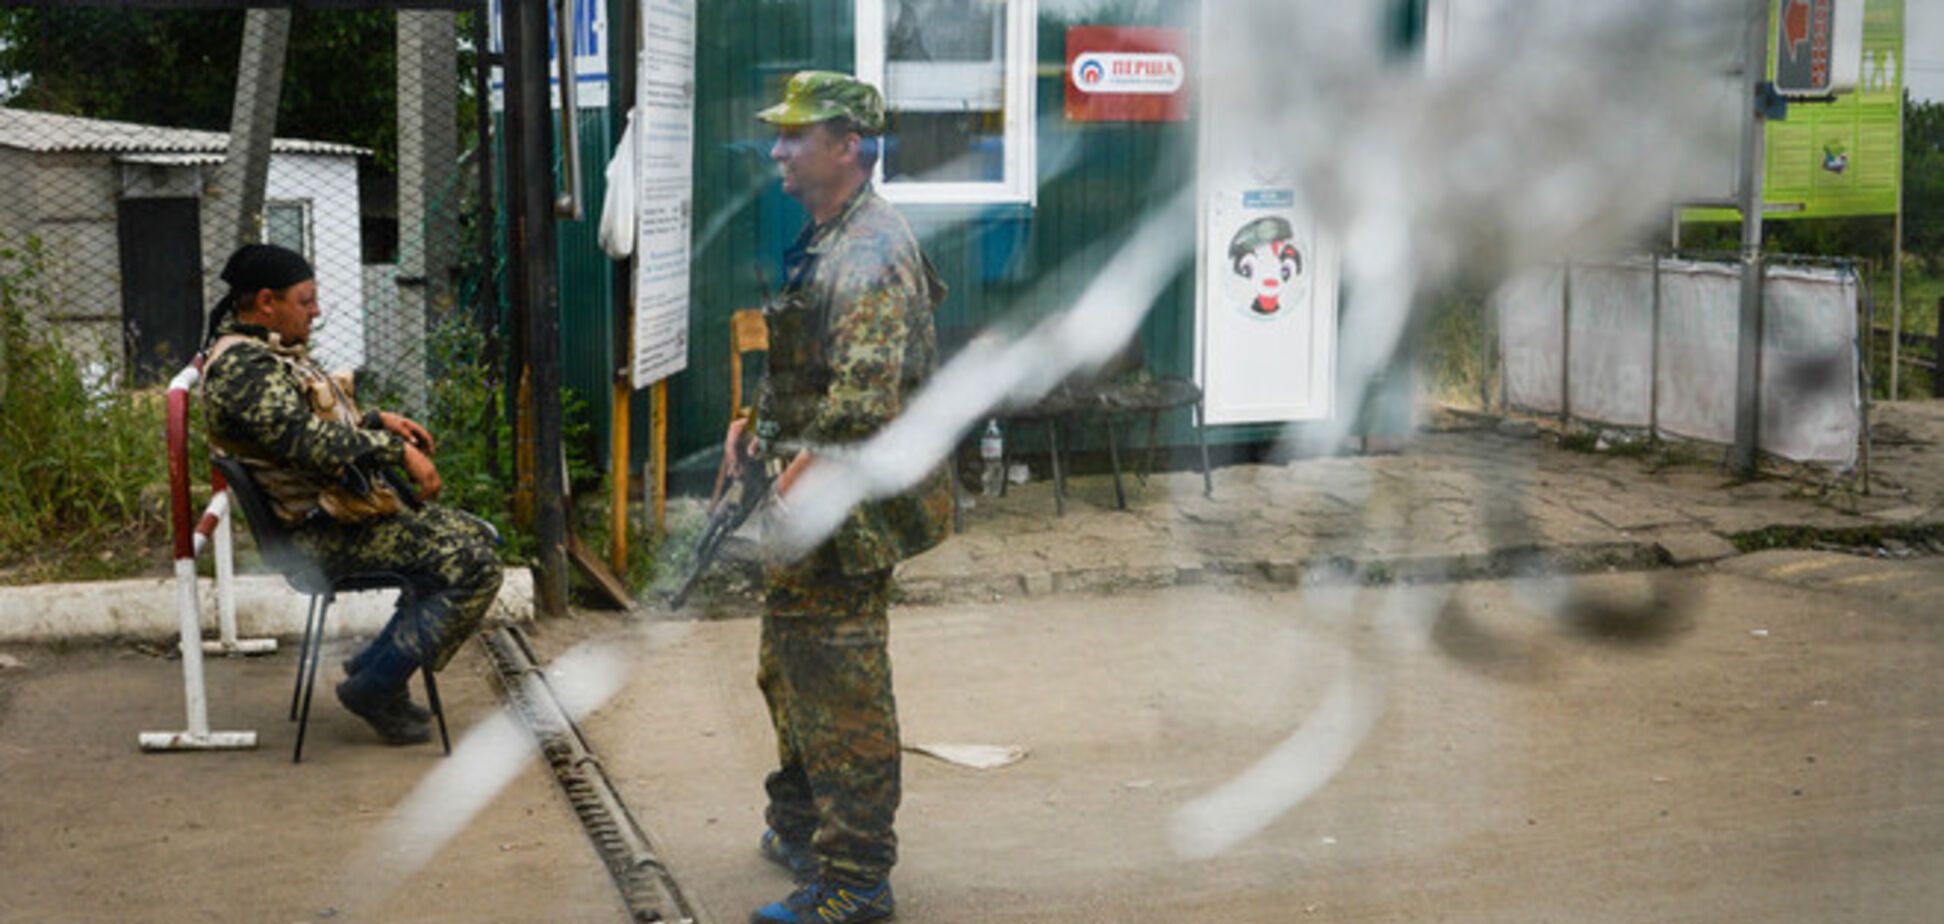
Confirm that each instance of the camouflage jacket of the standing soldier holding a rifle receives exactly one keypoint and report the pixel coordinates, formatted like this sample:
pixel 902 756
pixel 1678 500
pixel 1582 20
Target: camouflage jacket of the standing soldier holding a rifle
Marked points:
pixel 850 341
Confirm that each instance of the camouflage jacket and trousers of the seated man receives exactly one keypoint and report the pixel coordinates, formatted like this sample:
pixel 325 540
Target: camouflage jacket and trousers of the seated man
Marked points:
pixel 298 429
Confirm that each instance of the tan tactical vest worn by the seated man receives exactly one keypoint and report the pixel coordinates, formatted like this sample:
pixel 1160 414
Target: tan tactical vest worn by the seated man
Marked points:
pixel 295 495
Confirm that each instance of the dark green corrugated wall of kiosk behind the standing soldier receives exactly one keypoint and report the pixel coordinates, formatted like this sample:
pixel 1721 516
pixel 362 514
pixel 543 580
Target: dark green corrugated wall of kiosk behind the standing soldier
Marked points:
pixel 990 256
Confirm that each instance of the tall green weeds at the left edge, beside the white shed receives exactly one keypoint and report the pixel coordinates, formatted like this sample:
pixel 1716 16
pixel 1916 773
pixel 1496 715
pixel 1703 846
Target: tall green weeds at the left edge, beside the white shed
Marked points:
pixel 83 460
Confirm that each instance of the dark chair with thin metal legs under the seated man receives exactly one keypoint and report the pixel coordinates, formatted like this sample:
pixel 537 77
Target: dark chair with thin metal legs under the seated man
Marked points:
pixel 304 577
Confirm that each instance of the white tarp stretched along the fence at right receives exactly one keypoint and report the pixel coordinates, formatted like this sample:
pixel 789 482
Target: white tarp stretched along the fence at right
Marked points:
pixel 1811 402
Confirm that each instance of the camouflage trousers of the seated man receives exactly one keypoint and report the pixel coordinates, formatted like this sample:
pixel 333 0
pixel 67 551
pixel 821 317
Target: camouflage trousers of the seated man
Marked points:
pixel 448 557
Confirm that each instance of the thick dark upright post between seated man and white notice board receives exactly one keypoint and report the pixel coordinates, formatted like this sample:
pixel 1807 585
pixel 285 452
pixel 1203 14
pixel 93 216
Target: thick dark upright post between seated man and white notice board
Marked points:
pixel 536 283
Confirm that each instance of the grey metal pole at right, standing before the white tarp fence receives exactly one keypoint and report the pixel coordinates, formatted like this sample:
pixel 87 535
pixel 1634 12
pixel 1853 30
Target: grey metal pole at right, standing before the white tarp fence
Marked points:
pixel 1749 345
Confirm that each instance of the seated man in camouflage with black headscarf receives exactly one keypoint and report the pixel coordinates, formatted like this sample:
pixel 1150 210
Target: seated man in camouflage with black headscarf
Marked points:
pixel 318 462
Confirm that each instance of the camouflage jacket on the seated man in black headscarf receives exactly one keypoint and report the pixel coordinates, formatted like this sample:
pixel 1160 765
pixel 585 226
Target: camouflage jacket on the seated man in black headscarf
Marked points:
pixel 295 425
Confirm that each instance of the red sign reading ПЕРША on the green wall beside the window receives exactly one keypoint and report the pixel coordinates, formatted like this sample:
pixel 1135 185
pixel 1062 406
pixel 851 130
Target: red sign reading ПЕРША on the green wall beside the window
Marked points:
pixel 1127 75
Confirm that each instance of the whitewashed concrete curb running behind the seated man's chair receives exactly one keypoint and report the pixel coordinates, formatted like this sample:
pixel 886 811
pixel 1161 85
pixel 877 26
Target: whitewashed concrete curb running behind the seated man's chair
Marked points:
pixel 265 608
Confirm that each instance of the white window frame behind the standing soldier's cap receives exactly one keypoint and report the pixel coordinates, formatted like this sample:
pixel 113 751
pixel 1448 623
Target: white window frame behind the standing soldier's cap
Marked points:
pixel 1020 184
